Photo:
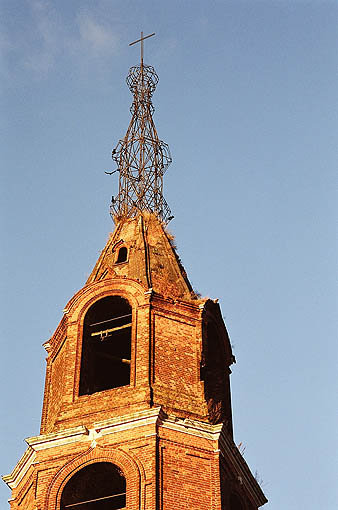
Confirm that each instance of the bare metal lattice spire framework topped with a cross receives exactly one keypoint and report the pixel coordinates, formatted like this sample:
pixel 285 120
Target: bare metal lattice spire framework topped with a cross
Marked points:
pixel 141 157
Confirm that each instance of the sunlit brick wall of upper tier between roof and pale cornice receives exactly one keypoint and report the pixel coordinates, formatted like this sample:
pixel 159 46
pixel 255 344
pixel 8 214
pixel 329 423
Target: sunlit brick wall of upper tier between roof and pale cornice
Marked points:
pixel 165 365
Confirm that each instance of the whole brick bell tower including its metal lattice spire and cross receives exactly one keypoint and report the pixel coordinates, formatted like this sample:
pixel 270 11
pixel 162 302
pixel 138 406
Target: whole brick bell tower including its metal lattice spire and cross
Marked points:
pixel 137 410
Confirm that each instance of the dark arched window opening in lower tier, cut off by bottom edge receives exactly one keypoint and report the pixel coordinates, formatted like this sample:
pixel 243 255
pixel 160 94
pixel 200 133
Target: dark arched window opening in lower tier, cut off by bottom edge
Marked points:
pixel 99 486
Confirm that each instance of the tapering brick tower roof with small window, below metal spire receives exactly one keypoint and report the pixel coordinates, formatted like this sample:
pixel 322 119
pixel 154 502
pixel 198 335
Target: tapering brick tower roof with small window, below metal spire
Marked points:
pixel 149 257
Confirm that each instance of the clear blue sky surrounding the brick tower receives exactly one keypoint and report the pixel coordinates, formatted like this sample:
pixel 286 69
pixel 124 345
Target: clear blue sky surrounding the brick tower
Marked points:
pixel 247 101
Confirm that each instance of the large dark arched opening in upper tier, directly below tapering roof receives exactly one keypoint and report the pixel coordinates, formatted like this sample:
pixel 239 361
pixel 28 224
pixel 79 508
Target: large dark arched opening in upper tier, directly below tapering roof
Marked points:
pixel 106 346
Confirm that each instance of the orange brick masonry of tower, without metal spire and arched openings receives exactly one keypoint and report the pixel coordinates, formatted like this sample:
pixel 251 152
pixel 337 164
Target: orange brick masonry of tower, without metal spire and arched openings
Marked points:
pixel 163 430
